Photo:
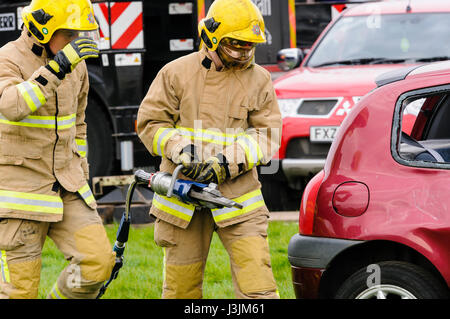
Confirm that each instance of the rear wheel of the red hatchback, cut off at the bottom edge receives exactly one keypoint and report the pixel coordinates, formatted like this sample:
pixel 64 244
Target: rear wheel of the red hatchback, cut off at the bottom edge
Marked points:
pixel 397 280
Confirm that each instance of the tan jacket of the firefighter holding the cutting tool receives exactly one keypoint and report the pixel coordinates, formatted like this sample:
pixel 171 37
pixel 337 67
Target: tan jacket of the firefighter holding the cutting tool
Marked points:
pixel 231 112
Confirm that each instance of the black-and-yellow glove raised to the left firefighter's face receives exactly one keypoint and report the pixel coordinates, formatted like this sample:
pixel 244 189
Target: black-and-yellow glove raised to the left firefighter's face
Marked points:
pixel 73 53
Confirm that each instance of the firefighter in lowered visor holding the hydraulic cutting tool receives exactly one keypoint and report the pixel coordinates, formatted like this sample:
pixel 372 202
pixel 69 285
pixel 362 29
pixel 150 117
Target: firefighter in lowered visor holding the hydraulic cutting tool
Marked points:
pixel 216 113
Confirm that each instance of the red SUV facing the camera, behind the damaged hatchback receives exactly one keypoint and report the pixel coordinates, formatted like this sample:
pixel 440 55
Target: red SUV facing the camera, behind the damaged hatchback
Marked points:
pixel 365 41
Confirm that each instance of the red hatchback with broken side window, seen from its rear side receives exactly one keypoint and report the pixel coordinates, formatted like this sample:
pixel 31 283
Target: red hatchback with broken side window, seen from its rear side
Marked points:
pixel 375 222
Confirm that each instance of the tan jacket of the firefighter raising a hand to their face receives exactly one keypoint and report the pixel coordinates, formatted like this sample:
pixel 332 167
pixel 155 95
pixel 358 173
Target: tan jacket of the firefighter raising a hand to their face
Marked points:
pixel 42 133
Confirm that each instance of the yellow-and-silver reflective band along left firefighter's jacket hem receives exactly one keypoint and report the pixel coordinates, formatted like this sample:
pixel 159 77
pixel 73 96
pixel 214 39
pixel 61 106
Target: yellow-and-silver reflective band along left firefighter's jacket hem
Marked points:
pixel 31 202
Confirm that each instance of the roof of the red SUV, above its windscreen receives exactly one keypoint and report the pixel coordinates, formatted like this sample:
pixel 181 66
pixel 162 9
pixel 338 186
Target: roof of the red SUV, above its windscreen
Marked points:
pixel 398 7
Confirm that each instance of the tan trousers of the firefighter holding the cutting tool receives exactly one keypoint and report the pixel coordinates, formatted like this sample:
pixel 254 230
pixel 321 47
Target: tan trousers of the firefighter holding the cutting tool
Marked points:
pixel 186 251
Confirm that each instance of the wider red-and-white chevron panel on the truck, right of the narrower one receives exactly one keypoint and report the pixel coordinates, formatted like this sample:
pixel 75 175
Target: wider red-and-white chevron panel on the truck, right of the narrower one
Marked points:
pixel 126 25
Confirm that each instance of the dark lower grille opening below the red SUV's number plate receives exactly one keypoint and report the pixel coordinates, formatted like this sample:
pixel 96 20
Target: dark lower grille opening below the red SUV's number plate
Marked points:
pixel 301 147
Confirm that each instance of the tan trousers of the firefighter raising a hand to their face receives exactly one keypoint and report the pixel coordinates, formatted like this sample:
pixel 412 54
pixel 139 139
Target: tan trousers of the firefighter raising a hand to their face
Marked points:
pixel 80 236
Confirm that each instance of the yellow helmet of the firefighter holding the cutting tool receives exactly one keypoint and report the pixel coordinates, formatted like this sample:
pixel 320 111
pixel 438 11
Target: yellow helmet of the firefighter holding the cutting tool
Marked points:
pixel 236 19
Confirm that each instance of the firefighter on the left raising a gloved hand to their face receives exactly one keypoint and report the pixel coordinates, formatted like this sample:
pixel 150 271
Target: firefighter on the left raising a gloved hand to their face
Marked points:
pixel 43 165
